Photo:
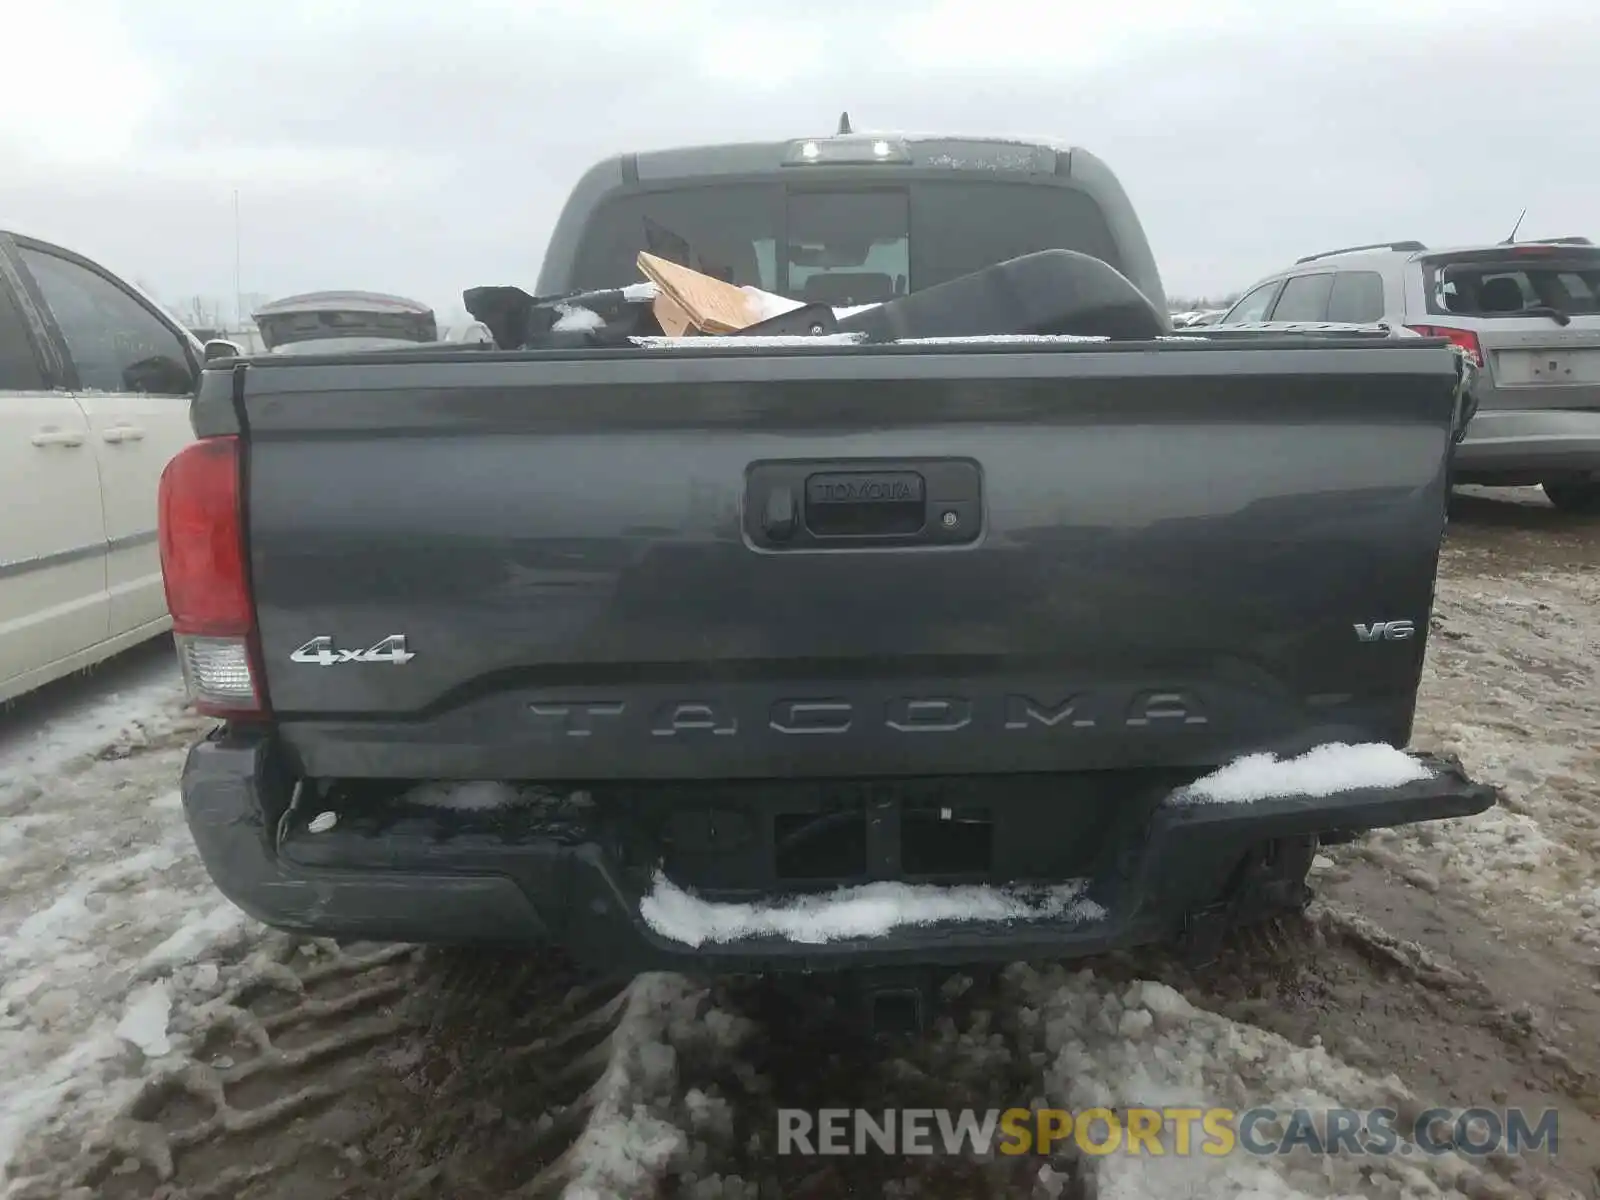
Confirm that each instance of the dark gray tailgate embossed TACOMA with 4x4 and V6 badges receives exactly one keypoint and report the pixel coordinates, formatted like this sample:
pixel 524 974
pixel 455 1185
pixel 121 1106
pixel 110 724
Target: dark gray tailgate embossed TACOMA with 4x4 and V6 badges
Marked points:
pixel 847 561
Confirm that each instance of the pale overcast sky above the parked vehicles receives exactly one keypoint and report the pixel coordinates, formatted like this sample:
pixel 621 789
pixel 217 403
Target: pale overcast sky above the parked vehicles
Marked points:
pixel 426 148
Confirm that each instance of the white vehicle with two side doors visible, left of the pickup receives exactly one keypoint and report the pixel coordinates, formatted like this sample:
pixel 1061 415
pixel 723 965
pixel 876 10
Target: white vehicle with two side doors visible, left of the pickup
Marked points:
pixel 95 390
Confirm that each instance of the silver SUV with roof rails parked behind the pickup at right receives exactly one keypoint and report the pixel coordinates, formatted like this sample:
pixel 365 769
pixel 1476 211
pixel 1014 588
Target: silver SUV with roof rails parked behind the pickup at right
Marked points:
pixel 1529 313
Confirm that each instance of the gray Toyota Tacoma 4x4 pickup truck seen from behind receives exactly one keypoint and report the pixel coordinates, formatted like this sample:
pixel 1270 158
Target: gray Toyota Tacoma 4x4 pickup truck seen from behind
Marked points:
pixel 814 654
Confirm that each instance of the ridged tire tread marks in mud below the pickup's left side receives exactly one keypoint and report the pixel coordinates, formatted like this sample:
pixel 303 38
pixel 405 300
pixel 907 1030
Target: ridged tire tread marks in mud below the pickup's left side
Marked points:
pixel 319 1073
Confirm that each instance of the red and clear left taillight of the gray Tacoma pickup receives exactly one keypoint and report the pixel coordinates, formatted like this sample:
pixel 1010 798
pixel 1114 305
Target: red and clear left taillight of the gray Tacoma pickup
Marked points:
pixel 202 540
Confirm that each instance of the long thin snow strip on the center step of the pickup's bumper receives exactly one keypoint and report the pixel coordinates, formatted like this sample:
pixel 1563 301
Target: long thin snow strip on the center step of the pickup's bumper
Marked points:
pixel 868 911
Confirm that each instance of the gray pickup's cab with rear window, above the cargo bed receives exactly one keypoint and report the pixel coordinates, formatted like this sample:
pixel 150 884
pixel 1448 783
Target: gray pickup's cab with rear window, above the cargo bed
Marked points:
pixel 846 220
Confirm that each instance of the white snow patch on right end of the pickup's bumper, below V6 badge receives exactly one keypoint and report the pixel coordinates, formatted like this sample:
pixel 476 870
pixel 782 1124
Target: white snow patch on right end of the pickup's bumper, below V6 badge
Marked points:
pixel 1326 770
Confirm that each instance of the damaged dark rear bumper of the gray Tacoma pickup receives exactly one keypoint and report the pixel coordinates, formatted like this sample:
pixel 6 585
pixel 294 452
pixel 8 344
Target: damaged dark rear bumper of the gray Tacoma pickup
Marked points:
pixel 570 889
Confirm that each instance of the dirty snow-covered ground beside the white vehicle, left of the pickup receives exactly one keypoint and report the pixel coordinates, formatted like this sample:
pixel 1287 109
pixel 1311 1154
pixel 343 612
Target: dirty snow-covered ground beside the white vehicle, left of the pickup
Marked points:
pixel 105 910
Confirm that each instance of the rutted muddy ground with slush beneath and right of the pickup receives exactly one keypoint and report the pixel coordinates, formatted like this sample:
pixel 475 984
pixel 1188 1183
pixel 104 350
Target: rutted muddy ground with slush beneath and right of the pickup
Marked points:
pixel 1454 964
